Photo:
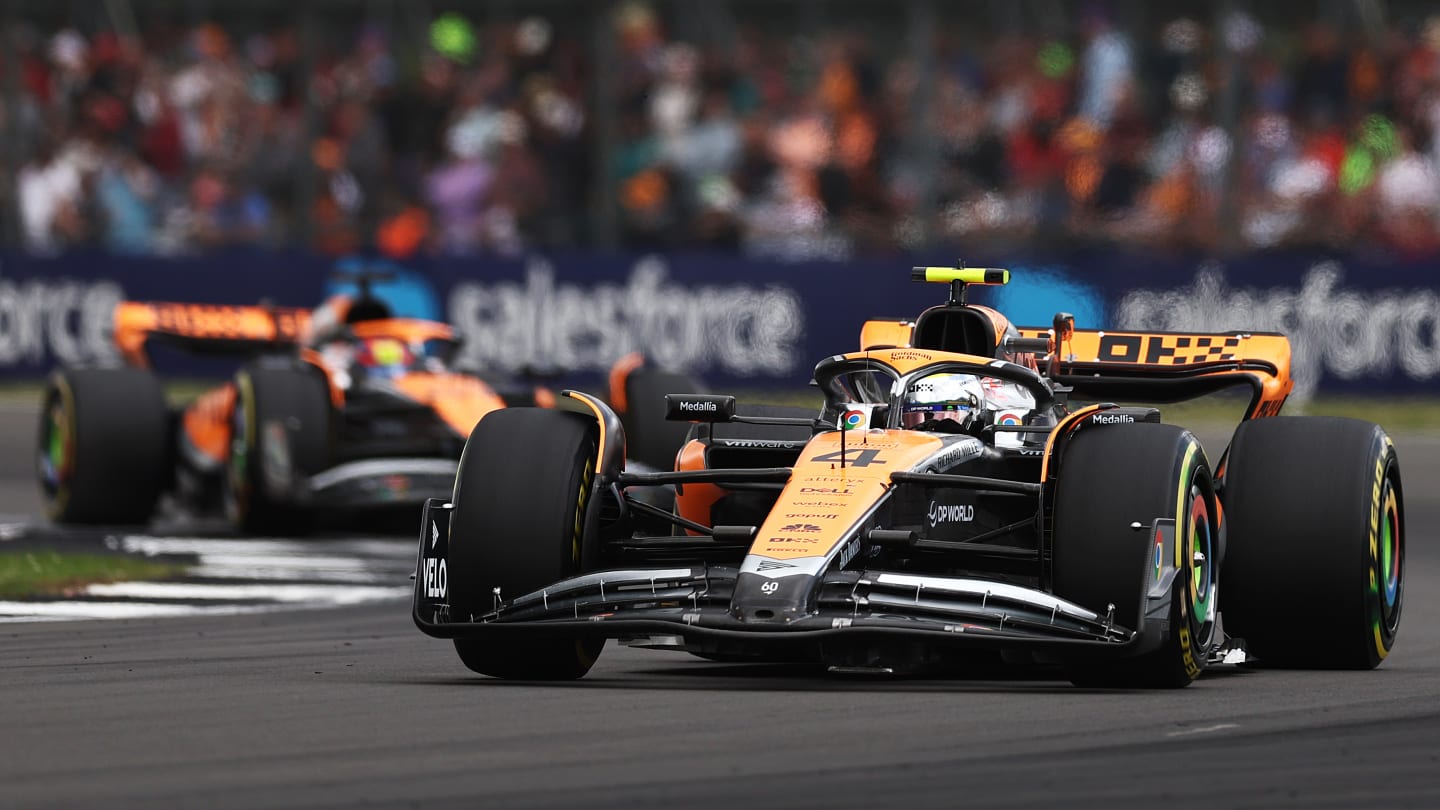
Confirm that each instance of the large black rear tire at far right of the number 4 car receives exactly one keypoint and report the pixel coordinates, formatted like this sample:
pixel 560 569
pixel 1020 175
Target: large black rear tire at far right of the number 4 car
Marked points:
pixel 1315 569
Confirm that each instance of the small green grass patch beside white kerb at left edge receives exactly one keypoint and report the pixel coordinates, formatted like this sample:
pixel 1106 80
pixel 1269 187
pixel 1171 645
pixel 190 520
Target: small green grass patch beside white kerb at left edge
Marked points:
pixel 48 573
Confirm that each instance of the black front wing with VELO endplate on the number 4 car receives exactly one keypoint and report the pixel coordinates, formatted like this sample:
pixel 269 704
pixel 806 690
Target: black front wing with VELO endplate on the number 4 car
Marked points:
pixel 689 607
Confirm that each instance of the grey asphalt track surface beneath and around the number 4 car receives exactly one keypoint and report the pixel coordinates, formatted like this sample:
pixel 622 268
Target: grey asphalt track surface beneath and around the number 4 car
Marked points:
pixel 345 708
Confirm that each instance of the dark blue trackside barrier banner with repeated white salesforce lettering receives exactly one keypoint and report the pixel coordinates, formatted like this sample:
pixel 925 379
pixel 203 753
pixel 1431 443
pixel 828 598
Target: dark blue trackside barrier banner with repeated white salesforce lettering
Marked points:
pixel 1359 325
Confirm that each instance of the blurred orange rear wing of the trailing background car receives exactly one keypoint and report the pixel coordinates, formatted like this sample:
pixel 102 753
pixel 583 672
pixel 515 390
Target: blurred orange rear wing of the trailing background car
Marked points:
pixel 205 328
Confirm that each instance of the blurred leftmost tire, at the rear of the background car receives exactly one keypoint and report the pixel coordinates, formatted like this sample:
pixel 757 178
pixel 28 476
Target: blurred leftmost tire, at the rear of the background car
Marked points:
pixel 104 446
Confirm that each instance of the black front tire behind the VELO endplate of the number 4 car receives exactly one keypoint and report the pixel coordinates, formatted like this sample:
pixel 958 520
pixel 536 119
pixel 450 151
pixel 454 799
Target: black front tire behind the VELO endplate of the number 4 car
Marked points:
pixel 519 524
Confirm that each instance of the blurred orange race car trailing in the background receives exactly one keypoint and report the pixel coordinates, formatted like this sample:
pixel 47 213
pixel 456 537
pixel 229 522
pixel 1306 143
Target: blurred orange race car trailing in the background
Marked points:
pixel 339 407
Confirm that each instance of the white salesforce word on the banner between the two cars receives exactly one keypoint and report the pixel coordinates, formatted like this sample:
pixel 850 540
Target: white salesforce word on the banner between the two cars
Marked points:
pixel 541 322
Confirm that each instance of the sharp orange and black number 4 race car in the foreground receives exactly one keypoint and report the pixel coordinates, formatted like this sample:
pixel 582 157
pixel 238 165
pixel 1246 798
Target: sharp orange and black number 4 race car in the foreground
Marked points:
pixel 966 491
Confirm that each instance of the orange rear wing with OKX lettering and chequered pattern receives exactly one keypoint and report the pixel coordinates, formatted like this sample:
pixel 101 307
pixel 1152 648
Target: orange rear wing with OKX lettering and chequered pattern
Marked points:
pixel 1171 367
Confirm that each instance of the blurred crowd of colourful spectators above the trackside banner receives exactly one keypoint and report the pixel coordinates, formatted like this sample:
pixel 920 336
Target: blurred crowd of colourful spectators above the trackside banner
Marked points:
pixel 485 136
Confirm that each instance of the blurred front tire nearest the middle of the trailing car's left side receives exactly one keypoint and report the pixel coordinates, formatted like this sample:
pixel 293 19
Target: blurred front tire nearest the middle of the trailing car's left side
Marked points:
pixel 280 436
